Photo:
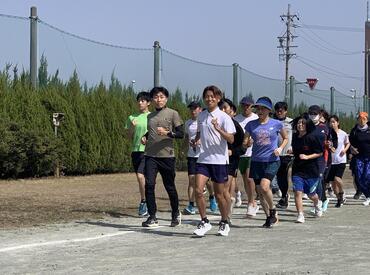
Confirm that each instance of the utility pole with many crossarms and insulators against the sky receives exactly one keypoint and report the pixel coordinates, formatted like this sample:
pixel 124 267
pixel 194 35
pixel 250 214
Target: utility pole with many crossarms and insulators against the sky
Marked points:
pixel 285 46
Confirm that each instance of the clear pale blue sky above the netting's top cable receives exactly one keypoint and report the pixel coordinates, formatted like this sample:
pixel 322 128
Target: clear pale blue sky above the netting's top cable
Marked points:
pixel 225 32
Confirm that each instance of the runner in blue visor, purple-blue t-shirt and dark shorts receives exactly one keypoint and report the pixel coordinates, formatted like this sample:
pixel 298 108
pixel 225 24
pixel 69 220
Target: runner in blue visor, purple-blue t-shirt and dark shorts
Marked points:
pixel 265 163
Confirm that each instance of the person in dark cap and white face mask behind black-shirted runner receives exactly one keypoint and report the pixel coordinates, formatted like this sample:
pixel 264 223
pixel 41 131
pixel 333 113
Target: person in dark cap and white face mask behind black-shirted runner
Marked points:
pixel 329 140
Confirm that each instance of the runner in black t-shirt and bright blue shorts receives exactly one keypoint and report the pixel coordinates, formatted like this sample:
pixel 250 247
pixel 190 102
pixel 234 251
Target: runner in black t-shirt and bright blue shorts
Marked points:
pixel 307 148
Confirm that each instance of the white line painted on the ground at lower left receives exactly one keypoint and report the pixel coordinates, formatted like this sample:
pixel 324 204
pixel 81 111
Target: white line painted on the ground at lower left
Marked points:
pixel 32 245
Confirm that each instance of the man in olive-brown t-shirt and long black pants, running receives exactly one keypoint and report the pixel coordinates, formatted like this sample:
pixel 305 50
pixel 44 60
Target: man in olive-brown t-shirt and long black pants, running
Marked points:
pixel 164 125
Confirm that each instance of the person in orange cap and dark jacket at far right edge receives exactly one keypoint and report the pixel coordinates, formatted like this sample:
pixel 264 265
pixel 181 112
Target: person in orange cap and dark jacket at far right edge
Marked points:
pixel 360 141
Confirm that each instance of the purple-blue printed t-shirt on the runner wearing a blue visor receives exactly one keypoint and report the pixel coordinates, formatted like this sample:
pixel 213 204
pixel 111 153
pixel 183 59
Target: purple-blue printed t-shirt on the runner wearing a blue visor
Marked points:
pixel 265 139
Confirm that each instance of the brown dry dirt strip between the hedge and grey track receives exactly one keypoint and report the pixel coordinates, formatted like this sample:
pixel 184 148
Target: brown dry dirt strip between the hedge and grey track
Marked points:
pixel 36 202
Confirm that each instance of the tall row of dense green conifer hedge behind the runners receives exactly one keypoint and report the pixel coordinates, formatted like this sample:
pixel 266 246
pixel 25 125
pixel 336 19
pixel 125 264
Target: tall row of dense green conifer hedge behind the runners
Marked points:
pixel 92 136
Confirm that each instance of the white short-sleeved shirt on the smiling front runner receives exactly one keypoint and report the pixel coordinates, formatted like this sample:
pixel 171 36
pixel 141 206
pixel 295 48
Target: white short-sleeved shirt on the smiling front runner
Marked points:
pixel 213 148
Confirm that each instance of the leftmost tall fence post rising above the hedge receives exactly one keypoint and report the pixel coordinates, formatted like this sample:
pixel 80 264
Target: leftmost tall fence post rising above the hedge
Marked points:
pixel 33 46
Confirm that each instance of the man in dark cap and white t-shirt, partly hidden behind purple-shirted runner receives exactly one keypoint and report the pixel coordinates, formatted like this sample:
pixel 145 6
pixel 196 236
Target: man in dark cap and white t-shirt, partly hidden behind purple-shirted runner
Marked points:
pixel 245 160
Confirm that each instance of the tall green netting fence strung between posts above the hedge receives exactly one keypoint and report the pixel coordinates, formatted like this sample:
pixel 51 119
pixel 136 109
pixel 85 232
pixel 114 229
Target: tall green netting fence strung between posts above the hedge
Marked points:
pixel 96 61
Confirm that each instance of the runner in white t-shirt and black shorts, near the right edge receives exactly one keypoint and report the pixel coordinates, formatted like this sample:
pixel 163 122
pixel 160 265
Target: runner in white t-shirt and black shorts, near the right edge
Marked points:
pixel 339 160
